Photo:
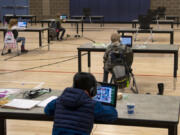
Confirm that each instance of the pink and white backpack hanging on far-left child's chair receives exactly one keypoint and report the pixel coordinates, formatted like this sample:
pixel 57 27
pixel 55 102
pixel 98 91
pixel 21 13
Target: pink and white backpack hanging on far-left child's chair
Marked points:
pixel 9 40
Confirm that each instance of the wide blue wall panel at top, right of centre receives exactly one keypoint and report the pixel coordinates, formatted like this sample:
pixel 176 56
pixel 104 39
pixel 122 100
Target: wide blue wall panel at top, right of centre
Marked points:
pixel 112 10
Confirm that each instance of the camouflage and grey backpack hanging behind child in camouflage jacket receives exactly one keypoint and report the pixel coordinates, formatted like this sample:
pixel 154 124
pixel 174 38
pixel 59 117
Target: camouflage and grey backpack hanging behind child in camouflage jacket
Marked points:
pixel 120 59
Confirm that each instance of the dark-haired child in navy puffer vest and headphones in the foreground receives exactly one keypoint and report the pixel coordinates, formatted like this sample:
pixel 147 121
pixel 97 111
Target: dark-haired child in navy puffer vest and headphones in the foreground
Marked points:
pixel 75 111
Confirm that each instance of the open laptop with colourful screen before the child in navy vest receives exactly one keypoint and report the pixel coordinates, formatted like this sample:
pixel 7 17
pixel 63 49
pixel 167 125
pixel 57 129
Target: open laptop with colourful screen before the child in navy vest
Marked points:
pixel 106 93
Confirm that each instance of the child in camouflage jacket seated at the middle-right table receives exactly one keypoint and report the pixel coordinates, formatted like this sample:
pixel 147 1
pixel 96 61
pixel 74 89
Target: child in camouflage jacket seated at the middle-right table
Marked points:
pixel 115 45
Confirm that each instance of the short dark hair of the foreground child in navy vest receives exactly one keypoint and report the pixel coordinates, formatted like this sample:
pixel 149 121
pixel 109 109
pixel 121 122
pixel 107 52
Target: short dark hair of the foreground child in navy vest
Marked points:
pixel 84 81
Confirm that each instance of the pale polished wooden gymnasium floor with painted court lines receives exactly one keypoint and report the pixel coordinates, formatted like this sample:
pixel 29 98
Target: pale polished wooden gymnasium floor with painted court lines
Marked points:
pixel 55 69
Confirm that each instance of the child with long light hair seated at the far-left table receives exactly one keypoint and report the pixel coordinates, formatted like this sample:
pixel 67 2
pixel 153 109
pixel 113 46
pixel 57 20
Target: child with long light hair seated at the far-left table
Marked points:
pixel 13 26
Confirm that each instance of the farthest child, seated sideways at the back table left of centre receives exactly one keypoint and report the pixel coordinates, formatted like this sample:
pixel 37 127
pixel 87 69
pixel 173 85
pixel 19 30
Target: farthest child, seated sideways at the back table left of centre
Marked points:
pixel 59 28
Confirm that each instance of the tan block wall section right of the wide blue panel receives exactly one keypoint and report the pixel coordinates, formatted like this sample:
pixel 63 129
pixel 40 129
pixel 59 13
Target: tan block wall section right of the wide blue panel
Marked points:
pixel 172 6
